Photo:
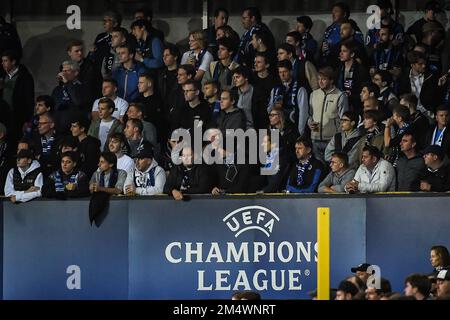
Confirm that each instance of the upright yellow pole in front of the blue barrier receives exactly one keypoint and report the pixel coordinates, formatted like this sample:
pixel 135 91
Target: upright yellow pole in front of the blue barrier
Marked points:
pixel 323 254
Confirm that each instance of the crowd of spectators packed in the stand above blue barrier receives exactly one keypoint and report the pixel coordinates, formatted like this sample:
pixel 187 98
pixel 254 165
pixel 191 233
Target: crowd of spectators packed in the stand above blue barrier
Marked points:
pixel 355 114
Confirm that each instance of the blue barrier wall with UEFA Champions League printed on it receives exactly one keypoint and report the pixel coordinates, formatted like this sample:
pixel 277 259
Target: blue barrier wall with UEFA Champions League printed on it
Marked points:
pixel 141 251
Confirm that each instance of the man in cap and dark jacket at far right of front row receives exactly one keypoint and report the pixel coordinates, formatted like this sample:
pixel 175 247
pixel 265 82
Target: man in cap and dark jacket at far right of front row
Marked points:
pixel 436 175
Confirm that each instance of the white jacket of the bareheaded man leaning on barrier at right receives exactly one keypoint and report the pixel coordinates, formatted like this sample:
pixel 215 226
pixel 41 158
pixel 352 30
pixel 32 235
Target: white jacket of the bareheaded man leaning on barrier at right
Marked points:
pixel 382 178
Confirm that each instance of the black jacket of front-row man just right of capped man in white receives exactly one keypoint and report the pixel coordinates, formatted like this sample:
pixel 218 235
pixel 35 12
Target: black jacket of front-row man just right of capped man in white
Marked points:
pixel 200 181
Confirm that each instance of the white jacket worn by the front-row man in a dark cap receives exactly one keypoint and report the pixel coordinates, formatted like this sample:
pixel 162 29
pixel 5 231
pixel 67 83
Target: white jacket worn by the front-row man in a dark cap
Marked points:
pixel 141 179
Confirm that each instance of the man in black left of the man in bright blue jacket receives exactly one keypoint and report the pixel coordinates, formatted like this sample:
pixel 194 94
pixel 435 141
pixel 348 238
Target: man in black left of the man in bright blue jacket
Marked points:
pixel 89 76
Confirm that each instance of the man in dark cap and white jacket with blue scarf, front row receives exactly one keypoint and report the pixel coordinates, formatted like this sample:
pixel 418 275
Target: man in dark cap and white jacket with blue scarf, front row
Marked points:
pixel 148 178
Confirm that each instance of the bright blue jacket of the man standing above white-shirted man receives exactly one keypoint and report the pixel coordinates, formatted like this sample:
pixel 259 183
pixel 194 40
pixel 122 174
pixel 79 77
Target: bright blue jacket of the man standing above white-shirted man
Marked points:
pixel 128 81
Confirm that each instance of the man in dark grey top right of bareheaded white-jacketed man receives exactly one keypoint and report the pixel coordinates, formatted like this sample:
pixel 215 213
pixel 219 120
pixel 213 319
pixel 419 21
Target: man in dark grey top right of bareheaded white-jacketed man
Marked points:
pixel 410 163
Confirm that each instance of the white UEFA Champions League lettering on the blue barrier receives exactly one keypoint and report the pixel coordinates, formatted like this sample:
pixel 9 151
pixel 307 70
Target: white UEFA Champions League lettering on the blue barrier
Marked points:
pixel 275 258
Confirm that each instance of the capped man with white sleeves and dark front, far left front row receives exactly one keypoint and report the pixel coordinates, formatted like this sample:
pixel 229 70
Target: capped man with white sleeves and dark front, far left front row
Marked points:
pixel 24 183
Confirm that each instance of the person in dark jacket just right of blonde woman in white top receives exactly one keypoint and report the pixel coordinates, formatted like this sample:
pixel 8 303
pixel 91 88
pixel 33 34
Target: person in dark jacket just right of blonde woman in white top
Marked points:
pixel 222 70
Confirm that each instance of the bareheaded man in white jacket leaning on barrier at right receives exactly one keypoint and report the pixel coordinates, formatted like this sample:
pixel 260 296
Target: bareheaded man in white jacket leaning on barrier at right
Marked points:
pixel 374 175
